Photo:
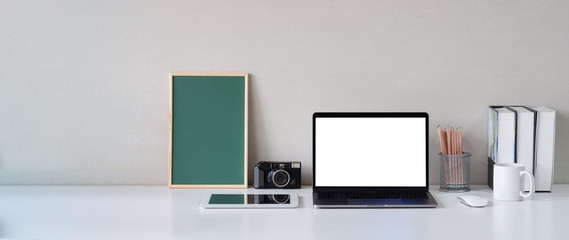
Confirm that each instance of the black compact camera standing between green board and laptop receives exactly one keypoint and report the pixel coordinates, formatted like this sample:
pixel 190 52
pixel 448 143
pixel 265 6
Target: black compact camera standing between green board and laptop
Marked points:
pixel 277 175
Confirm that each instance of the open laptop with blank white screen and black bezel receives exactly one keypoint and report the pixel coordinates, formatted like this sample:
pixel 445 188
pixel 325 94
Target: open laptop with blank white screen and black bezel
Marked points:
pixel 374 160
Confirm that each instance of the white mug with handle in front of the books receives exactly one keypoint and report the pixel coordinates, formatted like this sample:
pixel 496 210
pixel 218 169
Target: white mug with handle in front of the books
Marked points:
pixel 508 184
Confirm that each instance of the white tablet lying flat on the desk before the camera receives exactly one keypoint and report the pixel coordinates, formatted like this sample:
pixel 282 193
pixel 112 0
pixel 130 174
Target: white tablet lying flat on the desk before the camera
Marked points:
pixel 214 200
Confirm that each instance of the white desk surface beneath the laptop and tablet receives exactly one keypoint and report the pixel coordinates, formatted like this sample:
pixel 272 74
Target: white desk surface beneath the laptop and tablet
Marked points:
pixel 156 212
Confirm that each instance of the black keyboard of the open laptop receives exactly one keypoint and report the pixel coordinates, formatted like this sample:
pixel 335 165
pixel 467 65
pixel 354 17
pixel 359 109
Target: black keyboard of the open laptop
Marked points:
pixel 374 195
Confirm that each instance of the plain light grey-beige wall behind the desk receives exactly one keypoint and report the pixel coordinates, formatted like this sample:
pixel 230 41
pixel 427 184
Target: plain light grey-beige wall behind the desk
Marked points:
pixel 84 84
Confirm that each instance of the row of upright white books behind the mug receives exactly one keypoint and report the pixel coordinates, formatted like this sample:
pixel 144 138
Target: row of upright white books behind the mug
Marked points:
pixel 525 135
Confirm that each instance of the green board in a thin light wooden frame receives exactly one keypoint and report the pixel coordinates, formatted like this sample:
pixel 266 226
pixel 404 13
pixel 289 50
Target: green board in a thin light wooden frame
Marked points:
pixel 208 130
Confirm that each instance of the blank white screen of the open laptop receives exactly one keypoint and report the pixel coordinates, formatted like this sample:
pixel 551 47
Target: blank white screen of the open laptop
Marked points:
pixel 370 152
